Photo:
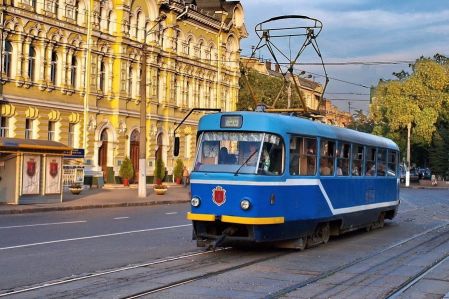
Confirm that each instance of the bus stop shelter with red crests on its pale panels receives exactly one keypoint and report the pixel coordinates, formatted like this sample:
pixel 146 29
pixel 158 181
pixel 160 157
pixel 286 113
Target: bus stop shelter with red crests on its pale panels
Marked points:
pixel 31 171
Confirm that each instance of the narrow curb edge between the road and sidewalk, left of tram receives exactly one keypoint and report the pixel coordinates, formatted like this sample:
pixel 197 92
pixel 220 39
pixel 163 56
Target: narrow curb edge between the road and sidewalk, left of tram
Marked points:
pixel 93 206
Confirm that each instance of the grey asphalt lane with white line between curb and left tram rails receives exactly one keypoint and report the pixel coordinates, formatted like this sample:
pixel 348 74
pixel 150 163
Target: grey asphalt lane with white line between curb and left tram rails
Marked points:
pixel 41 247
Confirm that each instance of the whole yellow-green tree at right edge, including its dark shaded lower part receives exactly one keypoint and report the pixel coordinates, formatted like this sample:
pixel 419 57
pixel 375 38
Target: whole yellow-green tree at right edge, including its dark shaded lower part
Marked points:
pixel 421 99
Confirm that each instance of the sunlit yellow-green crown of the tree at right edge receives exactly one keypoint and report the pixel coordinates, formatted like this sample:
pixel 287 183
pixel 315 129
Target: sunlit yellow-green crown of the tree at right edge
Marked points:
pixel 418 100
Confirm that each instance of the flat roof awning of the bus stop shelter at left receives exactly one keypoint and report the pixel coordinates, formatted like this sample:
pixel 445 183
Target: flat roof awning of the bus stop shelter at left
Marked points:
pixel 9 145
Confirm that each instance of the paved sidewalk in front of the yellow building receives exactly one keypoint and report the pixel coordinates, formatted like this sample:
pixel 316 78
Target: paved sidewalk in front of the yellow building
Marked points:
pixel 107 197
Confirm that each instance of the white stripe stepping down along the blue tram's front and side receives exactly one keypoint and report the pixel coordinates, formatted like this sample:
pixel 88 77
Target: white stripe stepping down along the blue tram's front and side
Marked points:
pixel 302 182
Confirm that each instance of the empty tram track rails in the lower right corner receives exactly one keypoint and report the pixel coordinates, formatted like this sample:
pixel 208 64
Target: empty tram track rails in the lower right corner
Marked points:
pixel 359 277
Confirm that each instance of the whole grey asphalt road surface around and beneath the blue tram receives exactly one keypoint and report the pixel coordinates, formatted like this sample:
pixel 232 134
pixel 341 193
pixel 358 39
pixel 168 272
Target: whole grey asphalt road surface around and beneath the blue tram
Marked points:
pixel 37 248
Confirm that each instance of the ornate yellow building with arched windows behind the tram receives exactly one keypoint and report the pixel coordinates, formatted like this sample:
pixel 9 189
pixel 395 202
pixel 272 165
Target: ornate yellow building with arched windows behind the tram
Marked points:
pixel 70 72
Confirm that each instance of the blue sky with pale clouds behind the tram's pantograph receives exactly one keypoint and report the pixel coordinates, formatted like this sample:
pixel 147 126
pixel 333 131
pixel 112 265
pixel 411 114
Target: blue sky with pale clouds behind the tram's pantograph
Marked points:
pixel 356 31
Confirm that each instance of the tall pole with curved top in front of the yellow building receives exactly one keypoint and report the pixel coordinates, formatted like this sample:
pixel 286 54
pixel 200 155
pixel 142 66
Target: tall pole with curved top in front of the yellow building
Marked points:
pixel 142 187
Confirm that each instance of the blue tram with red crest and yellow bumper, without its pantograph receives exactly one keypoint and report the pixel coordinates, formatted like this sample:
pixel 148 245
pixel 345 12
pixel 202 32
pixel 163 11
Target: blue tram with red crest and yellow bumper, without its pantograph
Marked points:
pixel 261 177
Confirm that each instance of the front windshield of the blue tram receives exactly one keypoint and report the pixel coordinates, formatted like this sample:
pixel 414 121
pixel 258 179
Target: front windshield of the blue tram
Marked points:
pixel 240 152
